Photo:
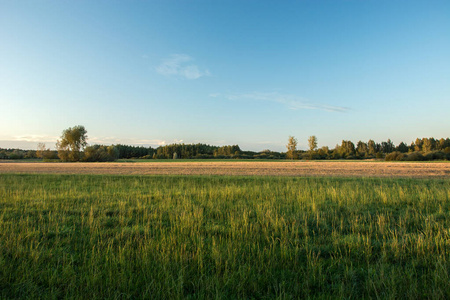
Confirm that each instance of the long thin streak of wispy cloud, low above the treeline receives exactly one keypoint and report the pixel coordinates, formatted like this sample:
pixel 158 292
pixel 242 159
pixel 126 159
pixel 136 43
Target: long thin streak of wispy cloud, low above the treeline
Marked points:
pixel 291 101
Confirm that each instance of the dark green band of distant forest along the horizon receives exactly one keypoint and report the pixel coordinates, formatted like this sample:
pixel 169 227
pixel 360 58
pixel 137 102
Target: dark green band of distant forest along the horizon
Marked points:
pixel 422 149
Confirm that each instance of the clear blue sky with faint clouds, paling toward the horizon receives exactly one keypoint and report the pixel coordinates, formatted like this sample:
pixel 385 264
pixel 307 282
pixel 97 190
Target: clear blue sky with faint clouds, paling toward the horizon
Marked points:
pixel 224 72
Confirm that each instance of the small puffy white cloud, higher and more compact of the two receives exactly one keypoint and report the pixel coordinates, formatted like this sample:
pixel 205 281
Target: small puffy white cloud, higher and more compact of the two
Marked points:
pixel 180 65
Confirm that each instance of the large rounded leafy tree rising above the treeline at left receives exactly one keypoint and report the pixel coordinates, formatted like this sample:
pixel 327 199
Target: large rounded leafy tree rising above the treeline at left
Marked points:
pixel 72 143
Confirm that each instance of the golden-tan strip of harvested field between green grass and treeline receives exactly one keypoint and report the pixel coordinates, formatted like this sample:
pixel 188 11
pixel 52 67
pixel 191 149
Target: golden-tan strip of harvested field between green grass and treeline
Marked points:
pixel 276 168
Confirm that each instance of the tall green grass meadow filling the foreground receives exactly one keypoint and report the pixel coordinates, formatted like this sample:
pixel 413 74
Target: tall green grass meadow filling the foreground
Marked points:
pixel 175 237
